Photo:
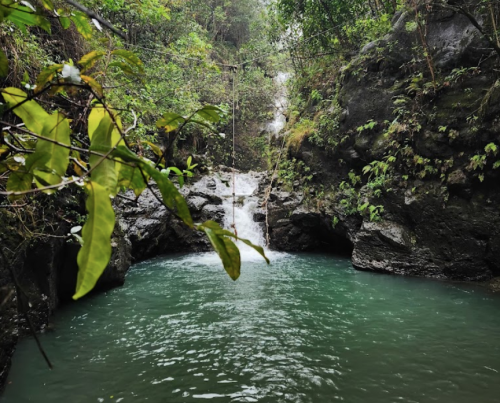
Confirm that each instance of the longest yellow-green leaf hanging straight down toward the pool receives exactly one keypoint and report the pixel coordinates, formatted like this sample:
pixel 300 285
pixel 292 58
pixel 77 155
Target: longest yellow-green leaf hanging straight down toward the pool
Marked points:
pixel 96 251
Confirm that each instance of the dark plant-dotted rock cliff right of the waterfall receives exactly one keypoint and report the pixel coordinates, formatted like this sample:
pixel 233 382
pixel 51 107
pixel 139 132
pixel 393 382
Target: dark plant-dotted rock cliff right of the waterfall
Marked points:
pixel 441 214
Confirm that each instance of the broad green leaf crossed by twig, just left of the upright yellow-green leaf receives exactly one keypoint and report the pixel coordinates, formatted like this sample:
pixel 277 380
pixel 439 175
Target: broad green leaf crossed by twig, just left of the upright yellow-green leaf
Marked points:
pixel 56 128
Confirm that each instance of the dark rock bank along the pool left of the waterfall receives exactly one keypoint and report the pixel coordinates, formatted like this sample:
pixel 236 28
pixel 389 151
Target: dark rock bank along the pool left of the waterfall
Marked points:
pixel 46 268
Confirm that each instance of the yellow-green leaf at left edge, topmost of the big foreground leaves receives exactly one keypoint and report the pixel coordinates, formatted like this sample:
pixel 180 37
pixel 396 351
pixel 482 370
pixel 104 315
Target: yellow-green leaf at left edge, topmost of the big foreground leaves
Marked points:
pixel 32 114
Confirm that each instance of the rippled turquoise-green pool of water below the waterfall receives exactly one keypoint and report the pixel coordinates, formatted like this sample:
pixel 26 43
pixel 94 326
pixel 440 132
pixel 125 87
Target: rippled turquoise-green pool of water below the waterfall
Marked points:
pixel 308 328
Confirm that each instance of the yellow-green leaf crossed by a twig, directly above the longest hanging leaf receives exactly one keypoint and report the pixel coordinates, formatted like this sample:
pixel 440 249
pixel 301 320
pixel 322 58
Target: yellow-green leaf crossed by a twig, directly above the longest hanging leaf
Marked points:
pixel 103 170
